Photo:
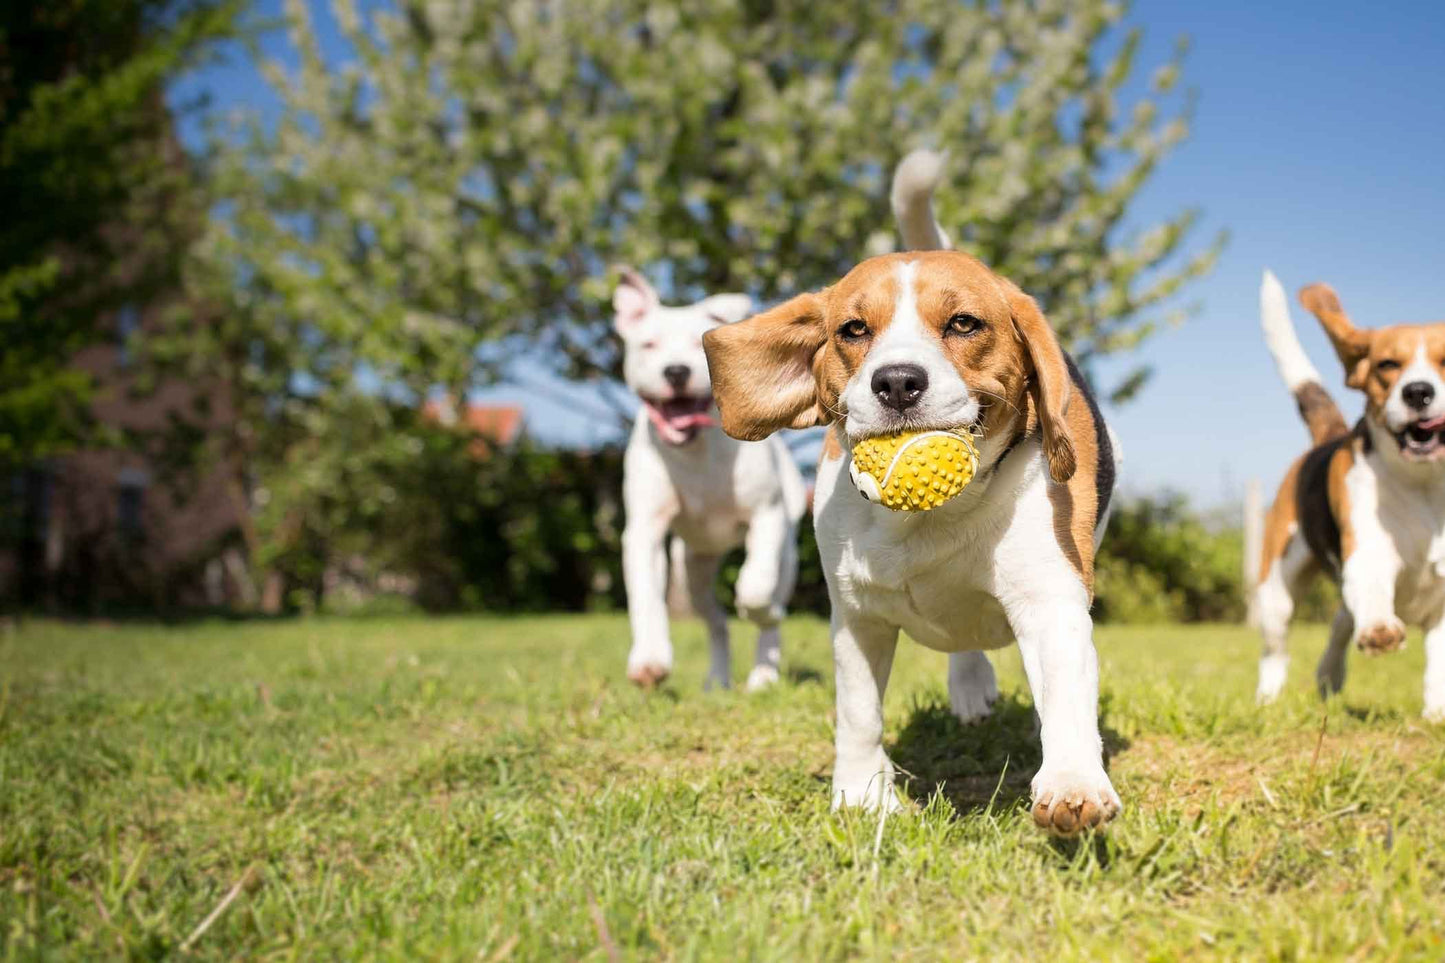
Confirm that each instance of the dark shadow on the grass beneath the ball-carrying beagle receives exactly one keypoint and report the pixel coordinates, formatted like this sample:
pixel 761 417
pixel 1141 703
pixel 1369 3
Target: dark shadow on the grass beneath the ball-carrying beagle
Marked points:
pixel 985 764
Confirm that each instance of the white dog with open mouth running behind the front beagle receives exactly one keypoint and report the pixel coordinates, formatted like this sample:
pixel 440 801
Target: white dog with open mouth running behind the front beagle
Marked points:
pixel 684 476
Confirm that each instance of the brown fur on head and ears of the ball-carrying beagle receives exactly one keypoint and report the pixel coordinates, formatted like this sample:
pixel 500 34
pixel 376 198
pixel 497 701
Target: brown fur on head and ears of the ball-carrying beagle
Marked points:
pixel 788 368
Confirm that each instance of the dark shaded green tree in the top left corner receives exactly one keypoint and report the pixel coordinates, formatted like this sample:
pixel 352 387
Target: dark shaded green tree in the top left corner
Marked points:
pixel 95 192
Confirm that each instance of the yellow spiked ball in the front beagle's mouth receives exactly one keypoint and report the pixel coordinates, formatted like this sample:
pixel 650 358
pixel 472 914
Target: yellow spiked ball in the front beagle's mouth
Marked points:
pixel 917 471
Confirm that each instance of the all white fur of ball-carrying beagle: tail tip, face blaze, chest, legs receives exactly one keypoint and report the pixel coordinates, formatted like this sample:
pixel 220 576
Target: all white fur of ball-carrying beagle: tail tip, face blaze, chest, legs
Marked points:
pixel 975 575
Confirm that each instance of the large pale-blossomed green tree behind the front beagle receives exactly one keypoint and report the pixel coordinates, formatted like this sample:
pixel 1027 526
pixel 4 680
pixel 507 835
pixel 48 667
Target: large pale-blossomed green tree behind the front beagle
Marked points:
pixel 456 193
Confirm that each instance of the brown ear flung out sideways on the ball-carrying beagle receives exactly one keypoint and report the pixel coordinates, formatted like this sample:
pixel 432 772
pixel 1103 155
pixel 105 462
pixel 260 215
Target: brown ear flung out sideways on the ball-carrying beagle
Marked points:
pixel 764 369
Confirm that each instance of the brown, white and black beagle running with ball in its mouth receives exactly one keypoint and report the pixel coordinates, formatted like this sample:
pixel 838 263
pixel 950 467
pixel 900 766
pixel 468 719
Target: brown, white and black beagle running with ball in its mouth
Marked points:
pixel 923 341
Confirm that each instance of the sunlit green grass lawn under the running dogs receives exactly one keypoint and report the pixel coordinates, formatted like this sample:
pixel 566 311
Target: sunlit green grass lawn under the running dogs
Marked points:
pixel 493 789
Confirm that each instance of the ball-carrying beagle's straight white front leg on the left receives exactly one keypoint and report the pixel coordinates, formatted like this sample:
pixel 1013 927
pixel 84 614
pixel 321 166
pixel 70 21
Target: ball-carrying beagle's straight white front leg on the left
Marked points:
pixel 863 656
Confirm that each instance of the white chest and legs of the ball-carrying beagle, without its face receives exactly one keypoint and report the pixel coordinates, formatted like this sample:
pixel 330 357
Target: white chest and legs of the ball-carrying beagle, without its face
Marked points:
pixel 975 575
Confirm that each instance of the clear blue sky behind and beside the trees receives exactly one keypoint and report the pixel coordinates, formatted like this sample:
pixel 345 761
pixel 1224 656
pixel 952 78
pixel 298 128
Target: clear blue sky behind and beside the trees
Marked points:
pixel 1319 144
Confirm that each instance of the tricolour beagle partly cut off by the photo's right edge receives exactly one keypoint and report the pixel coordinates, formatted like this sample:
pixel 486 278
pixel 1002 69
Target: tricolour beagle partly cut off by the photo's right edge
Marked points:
pixel 1366 504
